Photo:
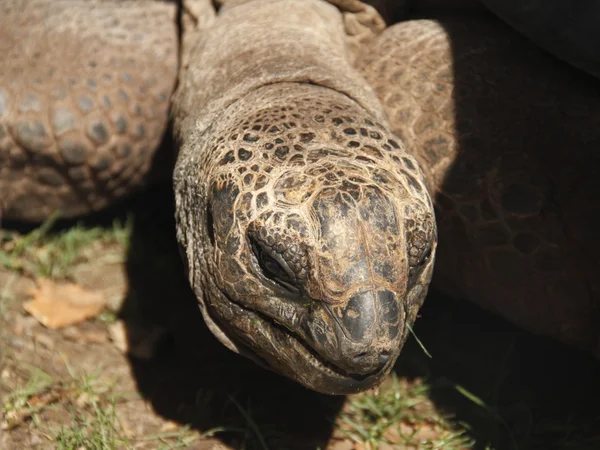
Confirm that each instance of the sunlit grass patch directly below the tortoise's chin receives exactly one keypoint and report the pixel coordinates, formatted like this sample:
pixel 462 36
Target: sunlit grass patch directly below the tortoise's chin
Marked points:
pixel 401 414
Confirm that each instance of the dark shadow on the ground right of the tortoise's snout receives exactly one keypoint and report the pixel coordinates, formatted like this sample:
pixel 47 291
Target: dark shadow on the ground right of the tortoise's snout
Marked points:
pixel 530 393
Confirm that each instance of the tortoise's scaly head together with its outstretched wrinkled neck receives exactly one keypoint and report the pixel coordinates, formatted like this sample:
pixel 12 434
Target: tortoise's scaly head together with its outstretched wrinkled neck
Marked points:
pixel 308 233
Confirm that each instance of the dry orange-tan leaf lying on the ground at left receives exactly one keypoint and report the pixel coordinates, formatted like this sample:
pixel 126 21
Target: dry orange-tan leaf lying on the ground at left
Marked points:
pixel 61 305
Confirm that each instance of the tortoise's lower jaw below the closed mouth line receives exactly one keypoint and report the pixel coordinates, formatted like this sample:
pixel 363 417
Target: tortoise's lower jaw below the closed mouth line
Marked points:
pixel 333 379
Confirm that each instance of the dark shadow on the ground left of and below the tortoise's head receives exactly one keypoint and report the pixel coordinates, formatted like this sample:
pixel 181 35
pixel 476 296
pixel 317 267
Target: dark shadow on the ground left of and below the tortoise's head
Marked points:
pixel 194 379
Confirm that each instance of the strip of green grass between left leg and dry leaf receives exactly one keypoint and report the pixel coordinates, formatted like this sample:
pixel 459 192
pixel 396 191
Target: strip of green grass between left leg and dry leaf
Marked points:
pixel 45 253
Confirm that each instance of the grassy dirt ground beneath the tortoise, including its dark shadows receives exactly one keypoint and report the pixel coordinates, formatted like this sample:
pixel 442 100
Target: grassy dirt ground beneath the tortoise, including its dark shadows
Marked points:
pixel 146 374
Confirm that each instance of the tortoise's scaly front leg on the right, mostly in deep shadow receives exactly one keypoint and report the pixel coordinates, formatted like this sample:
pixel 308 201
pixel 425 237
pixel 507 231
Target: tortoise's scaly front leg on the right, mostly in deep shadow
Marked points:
pixel 508 138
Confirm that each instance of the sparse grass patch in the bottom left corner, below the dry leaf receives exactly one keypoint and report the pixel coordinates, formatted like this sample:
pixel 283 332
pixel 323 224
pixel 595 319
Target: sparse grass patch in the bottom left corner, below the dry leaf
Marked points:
pixel 90 402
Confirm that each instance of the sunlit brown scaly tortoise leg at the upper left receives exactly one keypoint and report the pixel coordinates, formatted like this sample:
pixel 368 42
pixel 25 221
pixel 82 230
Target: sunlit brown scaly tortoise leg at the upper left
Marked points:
pixel 84 97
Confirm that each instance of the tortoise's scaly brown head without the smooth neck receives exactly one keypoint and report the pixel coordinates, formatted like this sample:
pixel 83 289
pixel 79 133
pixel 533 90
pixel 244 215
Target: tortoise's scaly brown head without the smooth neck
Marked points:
pixel 317 244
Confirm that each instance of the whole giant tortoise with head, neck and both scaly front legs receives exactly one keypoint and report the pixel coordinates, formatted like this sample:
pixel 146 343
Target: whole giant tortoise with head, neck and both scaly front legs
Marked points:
pixel 313 145
